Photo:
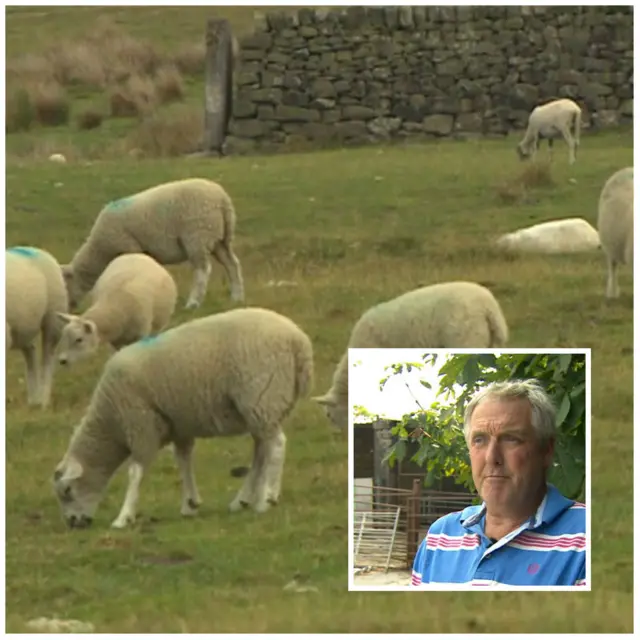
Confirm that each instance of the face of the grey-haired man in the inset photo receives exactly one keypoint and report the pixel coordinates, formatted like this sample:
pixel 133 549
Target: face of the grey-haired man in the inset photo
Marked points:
pixel 508 462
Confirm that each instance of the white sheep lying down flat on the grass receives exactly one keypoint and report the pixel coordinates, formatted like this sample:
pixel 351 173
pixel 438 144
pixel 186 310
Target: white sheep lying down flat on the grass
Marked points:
pixel 569 235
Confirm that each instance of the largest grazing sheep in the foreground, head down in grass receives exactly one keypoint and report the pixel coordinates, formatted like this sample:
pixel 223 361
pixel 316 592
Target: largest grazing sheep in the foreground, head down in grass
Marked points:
pixel 239 371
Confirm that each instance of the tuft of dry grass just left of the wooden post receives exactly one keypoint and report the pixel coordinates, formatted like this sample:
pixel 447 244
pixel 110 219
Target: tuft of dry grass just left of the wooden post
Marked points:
pixel 172 133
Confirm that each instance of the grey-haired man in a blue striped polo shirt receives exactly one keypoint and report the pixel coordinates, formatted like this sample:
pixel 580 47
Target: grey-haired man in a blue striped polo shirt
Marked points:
pixel 525 533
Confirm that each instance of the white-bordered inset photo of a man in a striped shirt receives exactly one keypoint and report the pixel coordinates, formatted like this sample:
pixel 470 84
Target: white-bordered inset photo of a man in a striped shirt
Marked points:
pixel 469 469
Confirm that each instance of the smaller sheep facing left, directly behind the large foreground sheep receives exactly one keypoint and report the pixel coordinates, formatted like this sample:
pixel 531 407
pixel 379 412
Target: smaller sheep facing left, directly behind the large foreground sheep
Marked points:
pixel 133 298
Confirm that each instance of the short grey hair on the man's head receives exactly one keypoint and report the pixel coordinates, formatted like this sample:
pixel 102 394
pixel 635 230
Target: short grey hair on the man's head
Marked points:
pixel 543 411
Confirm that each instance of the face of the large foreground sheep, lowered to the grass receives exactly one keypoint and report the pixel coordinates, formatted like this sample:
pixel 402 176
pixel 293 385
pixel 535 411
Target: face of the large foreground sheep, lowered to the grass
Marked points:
pixel 77 495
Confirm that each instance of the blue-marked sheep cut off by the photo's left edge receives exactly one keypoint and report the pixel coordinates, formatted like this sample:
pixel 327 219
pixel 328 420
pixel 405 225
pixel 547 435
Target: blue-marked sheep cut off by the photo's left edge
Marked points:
pixel 35 293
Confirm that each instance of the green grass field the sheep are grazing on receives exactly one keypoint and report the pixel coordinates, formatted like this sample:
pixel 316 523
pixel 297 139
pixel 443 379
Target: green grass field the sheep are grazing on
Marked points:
pixel 350 228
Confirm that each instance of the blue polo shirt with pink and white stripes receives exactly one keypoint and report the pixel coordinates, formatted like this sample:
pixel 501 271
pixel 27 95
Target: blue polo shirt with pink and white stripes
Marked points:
pixel 546 550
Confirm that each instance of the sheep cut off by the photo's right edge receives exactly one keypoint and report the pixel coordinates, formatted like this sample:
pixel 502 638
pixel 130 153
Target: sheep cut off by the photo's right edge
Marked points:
pixel 615 225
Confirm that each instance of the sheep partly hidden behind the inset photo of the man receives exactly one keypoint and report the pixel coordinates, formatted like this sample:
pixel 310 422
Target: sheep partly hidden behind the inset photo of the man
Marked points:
pixel 448 314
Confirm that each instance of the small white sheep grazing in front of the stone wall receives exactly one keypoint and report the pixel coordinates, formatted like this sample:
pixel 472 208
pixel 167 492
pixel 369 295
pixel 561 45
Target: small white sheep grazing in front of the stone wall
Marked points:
pixel 558 117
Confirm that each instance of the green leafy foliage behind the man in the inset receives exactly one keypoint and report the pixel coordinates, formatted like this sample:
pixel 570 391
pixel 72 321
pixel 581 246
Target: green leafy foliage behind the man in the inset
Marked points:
pixel 437 430
